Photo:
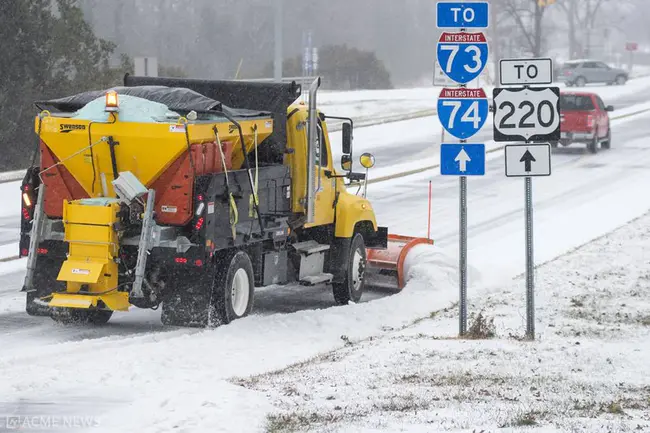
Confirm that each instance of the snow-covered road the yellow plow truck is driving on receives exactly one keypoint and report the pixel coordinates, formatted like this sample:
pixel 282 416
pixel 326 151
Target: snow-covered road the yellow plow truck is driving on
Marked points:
pixel 143 378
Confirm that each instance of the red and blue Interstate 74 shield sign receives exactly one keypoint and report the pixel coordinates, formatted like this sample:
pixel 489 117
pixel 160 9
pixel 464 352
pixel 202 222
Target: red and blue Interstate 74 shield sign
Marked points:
pixel 462 112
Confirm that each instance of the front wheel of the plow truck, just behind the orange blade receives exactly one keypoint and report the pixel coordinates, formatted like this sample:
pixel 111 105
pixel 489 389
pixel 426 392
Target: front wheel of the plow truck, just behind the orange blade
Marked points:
pixel 354 279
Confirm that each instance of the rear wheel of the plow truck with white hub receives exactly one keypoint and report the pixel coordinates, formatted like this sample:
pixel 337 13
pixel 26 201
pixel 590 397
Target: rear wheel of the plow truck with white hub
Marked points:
pixel 233 290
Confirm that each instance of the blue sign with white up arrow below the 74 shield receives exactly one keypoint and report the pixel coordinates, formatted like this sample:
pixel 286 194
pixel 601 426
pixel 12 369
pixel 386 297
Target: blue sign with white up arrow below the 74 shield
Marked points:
pixel 462 159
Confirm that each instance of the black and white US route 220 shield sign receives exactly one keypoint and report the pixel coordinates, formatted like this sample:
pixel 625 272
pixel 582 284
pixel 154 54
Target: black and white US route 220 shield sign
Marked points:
pixel 526 114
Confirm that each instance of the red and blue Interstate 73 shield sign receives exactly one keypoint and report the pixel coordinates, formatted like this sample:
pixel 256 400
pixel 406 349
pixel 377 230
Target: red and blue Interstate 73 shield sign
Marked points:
pixel 462 56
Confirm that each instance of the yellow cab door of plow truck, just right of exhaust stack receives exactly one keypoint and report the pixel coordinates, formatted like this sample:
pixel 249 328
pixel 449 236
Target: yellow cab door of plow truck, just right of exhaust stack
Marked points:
pixel 325 186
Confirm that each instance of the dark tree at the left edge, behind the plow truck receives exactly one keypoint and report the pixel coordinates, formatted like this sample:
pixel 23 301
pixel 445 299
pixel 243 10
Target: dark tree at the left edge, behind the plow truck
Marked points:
pixel 53 52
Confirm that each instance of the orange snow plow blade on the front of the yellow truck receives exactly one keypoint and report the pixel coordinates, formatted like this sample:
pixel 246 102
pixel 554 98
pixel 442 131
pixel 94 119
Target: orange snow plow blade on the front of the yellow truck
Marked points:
pixel 385 268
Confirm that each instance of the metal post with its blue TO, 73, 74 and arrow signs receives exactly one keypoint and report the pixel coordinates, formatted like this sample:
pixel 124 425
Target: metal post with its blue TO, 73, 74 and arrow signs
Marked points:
pixel 462 112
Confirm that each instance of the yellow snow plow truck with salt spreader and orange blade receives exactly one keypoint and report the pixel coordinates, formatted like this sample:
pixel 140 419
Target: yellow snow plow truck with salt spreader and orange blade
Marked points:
pixel 187 194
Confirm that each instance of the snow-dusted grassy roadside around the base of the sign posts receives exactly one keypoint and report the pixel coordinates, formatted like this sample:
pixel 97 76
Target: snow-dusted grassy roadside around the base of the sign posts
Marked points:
pixel 587 371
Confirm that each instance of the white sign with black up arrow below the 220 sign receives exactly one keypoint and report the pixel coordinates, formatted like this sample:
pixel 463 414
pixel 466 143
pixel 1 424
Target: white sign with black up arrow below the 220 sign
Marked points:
pixel 528 160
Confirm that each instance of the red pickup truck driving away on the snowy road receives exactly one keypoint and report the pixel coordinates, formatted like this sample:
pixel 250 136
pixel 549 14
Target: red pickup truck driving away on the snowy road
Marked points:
pixel 584 119
